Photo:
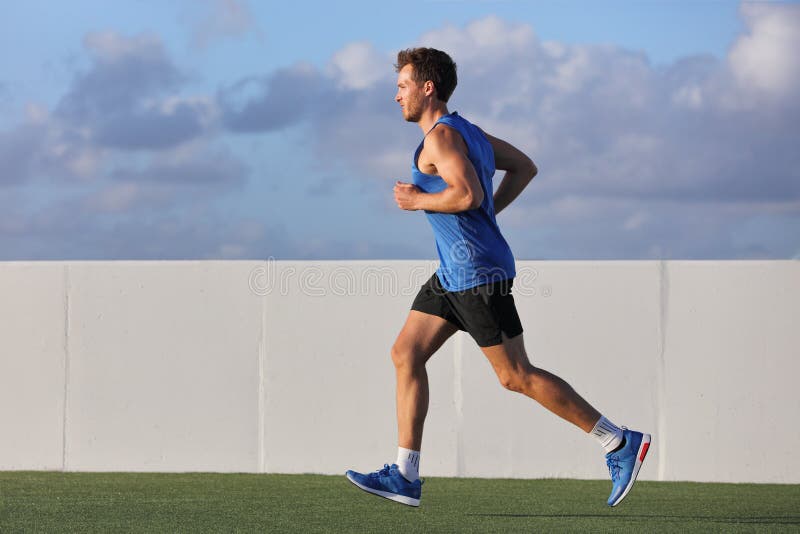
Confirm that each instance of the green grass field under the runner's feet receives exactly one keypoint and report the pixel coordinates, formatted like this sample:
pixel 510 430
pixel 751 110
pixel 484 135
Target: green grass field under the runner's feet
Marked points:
pixel 129 502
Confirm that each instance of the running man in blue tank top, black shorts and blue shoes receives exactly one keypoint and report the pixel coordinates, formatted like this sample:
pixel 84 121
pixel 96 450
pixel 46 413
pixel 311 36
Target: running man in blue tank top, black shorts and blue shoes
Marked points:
pixel 471 290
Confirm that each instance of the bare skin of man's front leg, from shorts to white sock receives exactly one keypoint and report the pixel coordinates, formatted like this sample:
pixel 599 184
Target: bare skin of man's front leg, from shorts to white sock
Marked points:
pixel 419 339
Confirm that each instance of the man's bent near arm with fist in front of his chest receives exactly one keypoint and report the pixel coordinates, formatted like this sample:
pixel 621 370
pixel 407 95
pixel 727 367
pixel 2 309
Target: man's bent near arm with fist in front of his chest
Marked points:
pixel 446 151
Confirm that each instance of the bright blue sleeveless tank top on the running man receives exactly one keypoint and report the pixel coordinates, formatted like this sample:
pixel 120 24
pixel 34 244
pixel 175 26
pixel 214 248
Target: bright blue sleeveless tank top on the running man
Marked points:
pixel 472 251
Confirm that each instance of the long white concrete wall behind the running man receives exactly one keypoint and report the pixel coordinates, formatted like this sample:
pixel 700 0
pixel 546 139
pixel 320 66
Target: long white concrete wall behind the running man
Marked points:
pixel 284 367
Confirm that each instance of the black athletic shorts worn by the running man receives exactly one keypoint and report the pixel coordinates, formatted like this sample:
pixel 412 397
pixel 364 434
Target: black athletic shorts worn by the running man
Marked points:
pixel 486 312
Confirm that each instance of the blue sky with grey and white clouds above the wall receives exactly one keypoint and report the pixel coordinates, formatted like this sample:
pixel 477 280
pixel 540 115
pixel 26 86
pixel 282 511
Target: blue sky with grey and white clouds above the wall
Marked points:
pixel 234 129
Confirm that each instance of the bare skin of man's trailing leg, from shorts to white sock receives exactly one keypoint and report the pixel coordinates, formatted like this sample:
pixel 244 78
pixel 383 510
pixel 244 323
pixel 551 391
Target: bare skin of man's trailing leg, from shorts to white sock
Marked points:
pixel 515 372
